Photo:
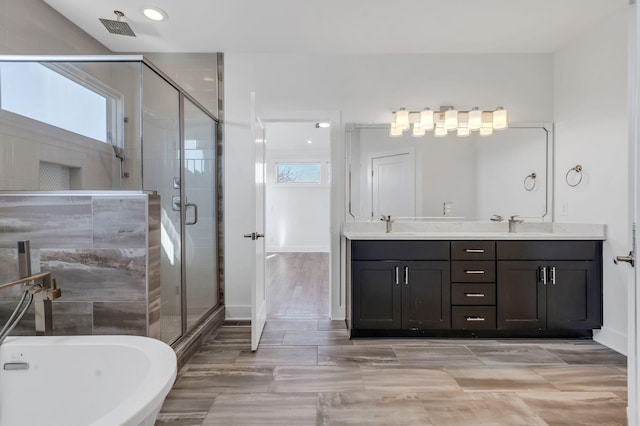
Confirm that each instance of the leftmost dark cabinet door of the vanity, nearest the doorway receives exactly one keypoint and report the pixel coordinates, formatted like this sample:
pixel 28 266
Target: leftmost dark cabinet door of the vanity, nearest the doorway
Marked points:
pixel 376 287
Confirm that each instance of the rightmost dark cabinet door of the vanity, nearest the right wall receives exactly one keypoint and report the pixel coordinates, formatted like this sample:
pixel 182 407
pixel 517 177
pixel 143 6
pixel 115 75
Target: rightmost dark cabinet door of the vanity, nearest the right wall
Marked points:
pixel 573 295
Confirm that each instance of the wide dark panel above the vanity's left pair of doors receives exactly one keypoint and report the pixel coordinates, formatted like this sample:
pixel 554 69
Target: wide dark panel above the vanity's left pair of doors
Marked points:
pixel 400 250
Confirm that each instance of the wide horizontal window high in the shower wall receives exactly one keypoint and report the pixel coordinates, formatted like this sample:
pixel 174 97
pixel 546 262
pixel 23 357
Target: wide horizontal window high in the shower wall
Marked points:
pixel 63 96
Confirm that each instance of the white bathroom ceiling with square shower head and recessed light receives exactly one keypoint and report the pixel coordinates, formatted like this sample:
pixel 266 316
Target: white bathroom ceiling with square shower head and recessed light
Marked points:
pixel 343 26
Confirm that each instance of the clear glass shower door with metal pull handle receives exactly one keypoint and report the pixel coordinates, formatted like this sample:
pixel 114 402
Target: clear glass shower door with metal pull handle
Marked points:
pixel 200 236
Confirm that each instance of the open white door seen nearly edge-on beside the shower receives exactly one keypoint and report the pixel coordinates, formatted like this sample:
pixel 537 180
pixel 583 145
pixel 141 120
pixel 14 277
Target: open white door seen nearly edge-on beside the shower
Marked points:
pixel 258 287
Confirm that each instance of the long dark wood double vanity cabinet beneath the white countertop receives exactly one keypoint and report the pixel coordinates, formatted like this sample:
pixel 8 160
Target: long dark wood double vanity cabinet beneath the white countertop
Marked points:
pixel 485 288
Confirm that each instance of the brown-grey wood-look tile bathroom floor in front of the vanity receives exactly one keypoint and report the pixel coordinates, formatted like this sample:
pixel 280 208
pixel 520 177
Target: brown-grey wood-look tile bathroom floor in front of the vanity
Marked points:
pixel 307 372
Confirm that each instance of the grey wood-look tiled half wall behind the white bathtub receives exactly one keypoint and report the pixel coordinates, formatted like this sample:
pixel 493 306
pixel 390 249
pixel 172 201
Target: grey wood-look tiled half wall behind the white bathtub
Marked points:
pixel 103 248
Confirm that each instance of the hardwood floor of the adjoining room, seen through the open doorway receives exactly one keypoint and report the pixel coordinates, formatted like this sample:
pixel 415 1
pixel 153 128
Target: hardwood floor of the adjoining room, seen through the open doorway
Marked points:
pixel 297 285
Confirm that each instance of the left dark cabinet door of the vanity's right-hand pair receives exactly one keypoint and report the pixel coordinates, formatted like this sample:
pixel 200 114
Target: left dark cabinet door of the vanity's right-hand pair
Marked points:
pixel 521 295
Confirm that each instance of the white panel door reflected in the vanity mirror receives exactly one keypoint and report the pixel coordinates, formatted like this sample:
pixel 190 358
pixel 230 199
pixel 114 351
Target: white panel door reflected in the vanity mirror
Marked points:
pixel 393 185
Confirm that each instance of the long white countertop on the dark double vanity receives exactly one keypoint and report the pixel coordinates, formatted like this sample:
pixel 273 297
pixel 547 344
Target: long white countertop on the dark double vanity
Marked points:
pixel 473 231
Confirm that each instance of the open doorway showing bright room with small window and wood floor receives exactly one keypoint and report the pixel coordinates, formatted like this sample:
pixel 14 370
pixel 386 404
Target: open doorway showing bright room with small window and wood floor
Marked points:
pixel 297 211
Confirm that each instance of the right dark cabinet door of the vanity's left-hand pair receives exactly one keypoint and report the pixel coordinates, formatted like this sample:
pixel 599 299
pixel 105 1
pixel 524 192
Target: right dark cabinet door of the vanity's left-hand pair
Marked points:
pixel 426 295
